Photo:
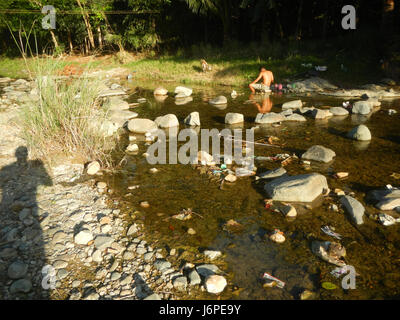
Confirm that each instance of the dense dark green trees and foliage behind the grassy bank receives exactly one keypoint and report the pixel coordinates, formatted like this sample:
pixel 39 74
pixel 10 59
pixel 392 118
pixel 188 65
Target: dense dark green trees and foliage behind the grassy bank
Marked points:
pixel 87 26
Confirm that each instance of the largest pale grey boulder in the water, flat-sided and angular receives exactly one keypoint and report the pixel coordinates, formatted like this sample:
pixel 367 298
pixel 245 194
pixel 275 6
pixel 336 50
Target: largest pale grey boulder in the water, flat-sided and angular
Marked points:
pixel 301 188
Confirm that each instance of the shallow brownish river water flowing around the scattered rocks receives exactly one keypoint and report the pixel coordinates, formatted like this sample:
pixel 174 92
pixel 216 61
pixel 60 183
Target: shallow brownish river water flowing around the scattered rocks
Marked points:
pixel 373 249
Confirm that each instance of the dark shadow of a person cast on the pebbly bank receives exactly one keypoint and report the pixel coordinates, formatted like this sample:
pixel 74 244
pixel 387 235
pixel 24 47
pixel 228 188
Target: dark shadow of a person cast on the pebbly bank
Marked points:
pixel 22 254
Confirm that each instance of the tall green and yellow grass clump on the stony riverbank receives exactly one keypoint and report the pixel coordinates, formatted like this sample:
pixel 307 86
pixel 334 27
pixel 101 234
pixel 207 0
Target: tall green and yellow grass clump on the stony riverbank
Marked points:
pixel 66 118
